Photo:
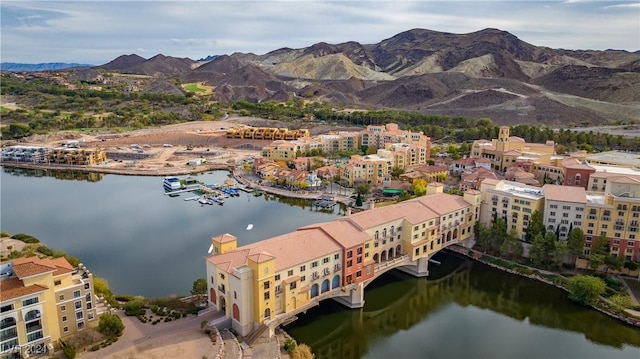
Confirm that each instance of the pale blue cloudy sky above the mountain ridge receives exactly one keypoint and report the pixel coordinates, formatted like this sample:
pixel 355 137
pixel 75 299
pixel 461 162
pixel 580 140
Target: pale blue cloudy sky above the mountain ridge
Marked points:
pixel 96 32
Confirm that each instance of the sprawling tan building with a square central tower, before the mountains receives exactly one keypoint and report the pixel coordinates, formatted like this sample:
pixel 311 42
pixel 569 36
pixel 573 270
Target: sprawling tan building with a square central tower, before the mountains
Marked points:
pixel 506 150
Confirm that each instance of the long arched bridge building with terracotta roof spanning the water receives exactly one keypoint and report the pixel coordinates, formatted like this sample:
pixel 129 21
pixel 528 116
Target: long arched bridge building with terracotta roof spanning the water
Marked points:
pixel 266 283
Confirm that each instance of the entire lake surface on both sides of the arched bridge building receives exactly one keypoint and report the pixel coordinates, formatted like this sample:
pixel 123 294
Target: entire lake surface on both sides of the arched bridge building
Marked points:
pixel 124 229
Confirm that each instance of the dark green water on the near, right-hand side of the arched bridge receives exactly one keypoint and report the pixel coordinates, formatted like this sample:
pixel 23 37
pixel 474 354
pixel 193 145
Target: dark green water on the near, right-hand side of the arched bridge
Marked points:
pixel 398 306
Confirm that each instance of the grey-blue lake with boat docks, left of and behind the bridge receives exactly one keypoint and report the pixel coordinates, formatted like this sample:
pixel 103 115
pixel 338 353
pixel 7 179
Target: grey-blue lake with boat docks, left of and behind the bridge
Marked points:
pixel 126 230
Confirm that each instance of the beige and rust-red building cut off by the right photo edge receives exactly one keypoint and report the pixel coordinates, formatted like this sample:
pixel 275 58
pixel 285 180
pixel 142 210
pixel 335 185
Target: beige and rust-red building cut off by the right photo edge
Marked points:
pixel 615 213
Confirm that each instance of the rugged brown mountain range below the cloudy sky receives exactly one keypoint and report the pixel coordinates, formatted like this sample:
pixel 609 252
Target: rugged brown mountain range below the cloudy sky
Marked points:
pixel 488 73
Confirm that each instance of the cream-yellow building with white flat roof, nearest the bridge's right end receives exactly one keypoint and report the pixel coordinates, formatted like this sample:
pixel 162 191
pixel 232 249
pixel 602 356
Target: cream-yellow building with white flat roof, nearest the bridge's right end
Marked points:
pixel 515 202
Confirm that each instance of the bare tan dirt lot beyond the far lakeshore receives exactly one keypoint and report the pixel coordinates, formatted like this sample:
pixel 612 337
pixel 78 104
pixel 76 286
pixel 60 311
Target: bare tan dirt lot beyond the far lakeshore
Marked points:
pixel 169 148
